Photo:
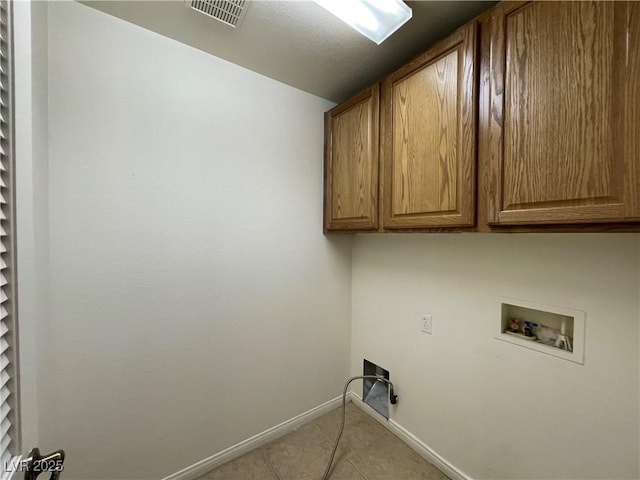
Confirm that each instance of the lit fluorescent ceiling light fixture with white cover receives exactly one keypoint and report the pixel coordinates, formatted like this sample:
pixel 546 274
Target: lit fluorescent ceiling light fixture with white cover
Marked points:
pixel 375 19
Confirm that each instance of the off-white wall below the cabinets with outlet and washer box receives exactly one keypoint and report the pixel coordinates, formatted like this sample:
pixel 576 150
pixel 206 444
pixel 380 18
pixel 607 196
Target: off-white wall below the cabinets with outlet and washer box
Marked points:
pixel 493 409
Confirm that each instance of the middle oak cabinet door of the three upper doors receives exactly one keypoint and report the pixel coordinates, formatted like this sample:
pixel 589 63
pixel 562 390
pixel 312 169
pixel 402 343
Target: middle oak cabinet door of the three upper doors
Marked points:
pixel 429 137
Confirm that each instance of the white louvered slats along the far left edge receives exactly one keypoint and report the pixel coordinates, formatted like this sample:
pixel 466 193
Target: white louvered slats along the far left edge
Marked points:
pixel 9 441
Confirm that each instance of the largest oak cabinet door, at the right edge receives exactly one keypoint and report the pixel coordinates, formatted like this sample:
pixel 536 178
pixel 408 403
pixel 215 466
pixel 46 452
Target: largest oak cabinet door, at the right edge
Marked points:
pixel 564 132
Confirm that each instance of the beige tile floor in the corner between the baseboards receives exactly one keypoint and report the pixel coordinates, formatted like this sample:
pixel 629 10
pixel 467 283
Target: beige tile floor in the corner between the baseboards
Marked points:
pixel 367 451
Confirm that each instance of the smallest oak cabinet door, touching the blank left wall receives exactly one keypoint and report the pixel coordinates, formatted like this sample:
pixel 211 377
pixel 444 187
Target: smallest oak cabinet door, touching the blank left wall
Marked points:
pixel 351 163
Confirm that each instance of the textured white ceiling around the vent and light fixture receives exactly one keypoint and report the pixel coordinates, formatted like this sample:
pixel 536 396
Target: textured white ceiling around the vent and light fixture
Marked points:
pixel 298 42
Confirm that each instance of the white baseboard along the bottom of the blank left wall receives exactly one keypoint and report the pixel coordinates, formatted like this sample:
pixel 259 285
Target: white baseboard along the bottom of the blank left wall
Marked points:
pixel 200 468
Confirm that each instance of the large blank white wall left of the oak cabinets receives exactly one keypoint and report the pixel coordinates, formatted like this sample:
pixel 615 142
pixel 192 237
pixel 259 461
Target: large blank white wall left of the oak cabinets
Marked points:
pixel 192 293
